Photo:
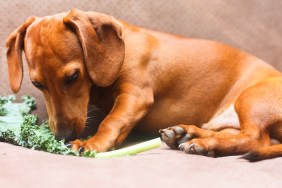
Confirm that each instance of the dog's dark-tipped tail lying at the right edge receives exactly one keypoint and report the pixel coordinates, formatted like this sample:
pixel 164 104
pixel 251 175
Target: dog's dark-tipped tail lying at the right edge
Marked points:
pixel 266 152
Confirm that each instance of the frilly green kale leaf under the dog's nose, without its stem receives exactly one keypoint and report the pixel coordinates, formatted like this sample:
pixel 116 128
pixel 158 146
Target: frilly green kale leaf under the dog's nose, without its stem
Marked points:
pixel 18 126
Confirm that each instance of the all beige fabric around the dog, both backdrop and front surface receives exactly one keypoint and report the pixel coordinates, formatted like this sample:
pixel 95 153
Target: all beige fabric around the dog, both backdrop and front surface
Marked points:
pixel 252 25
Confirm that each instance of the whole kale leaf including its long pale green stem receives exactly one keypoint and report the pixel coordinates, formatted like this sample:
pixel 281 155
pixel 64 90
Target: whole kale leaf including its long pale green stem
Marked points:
pixel 18 126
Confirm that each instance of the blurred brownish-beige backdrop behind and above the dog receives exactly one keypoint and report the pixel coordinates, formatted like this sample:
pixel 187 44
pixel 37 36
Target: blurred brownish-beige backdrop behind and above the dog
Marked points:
pixel 252 25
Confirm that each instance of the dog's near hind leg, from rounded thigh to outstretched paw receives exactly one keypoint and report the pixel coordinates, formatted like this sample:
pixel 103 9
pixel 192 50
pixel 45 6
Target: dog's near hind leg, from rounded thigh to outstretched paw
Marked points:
pixel 258 110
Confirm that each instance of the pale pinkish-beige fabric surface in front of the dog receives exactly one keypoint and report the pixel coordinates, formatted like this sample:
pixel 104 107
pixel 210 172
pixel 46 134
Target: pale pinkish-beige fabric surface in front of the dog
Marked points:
pixel 156 168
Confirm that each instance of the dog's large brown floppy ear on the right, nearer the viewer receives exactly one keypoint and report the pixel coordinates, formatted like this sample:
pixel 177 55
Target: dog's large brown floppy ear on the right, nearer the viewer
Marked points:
pixel 101 38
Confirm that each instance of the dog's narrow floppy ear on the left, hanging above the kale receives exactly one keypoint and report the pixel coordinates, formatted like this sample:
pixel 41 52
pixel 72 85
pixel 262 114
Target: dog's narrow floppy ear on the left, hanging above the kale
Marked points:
pixel 14 45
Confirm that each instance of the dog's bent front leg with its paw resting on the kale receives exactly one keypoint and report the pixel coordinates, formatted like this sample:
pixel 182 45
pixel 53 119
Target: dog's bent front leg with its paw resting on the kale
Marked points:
pixel 127 111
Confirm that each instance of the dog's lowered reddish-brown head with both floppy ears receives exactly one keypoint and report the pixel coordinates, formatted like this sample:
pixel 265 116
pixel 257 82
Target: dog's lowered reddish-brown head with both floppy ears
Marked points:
pixel 66 54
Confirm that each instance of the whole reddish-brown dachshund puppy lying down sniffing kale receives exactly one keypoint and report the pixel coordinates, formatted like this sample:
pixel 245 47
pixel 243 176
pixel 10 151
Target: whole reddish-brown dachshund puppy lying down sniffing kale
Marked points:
pixel 231 101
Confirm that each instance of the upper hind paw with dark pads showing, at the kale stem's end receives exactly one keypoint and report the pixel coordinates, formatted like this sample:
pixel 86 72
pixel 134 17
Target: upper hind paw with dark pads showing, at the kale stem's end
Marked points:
pixel 174 136
